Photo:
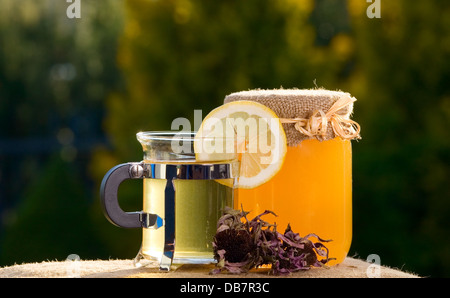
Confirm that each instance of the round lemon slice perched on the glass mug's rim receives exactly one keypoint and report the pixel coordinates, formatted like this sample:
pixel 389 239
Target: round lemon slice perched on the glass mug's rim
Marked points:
pixel 248 131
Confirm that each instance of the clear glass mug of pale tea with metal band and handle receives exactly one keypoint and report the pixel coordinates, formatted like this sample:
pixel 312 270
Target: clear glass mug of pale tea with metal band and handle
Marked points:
pixel 182 199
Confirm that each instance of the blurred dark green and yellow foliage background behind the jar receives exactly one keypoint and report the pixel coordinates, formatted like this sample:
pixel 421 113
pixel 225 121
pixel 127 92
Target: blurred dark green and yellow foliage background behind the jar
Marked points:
pixel 74 92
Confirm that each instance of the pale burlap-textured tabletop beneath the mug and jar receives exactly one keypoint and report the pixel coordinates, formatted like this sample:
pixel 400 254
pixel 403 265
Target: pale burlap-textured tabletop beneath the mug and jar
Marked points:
pixel 350 268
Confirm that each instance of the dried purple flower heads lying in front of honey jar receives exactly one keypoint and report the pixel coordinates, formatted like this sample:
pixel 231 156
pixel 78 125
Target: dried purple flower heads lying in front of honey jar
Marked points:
pixel 240 245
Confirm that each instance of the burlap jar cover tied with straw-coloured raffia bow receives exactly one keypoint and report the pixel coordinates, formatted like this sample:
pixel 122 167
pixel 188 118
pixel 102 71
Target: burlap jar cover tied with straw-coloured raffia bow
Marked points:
pixel 307 113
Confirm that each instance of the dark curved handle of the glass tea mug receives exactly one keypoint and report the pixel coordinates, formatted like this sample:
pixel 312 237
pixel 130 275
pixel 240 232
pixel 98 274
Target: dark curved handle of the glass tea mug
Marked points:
pixel 109 201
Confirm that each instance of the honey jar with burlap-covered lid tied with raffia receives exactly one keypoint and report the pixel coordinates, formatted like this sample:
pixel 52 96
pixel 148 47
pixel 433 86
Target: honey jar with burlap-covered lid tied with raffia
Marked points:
pixel 313 190
